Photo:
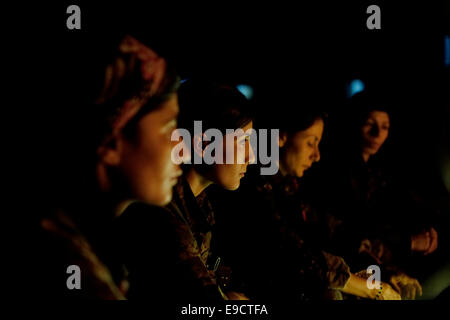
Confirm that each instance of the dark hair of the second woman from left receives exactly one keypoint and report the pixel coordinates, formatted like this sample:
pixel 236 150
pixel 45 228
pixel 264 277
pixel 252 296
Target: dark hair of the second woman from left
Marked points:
pixel 217 106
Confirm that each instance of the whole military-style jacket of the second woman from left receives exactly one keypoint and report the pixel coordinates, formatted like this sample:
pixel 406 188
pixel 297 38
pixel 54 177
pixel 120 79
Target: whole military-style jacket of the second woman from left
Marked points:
pixel 167 251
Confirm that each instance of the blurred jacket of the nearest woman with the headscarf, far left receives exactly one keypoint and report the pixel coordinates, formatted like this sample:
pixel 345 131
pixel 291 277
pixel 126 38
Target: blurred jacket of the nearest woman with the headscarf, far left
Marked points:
pixel 63 245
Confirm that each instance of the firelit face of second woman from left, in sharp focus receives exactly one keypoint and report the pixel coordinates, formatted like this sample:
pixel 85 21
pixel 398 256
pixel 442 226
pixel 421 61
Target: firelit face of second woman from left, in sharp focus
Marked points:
pixel 229 174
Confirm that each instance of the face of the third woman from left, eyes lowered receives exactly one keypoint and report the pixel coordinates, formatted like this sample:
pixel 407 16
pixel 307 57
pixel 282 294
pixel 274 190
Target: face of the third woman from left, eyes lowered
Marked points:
pixel 301 150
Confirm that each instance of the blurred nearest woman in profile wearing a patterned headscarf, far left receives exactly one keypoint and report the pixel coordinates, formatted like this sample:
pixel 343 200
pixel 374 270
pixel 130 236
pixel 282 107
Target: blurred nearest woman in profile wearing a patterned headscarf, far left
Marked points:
pixel 118 151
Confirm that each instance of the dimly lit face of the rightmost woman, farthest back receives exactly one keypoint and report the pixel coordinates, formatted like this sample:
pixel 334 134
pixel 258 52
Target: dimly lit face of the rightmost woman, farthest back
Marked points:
pixel 374 132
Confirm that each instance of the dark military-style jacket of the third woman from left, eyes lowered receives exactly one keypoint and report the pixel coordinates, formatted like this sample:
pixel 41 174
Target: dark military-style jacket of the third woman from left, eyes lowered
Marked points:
pixel 260 238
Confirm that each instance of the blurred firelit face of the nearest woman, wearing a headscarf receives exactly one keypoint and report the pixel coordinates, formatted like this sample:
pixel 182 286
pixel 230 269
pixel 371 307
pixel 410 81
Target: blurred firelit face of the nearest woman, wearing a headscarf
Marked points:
pixel 146 162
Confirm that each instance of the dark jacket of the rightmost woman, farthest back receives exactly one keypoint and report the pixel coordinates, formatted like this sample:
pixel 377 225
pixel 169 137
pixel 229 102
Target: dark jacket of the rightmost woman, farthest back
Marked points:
pixel 374 216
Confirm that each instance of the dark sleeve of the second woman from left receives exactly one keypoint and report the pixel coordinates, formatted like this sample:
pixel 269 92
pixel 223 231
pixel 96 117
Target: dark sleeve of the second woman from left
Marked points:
pixel 162 257
